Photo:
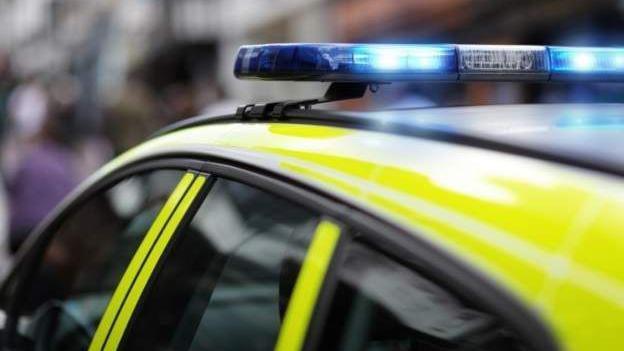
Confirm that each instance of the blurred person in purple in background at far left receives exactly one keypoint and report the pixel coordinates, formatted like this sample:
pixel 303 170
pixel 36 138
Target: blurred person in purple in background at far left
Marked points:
pixel 43 176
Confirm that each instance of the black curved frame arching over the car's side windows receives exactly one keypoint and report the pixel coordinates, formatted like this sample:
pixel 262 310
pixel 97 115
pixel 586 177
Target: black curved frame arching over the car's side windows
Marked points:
pixel 389 237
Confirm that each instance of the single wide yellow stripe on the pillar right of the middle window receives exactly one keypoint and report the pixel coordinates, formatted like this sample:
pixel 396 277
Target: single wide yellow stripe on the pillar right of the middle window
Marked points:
pixel 307 287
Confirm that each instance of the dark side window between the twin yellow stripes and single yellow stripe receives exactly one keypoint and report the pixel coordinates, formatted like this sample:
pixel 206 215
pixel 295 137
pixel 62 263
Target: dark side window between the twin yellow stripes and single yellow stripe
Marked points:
pixel 227 281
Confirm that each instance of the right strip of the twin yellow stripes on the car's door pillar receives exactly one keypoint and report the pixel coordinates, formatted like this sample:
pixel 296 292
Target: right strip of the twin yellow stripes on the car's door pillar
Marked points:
pixel 136 291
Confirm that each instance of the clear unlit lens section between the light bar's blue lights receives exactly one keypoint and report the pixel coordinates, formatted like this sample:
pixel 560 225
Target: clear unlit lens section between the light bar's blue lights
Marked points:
pixel 502 59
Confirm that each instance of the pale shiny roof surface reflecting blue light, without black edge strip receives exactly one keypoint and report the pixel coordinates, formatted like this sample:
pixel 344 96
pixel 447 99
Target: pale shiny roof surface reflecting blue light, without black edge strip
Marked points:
pixel 587 132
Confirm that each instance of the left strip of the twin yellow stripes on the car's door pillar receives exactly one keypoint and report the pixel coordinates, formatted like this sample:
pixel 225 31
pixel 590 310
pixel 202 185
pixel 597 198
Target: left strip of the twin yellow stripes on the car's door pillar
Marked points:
pixel 137 260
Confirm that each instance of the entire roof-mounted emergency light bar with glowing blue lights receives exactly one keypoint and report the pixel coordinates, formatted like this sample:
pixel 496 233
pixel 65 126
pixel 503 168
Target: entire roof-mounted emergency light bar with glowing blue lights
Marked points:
pixel 386 63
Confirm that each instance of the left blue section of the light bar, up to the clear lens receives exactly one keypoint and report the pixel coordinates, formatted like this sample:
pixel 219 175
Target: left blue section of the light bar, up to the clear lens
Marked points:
pixel 347 62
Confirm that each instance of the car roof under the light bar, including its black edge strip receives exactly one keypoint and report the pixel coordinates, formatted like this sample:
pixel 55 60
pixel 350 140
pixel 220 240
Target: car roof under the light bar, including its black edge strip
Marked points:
pixel 586 135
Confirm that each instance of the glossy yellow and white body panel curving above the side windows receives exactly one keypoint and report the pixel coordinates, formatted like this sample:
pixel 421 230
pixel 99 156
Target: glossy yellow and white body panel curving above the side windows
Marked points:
pixel 533 226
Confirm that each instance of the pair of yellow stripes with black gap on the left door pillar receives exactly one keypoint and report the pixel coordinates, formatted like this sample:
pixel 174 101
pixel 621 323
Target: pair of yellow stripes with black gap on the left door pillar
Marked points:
pixel 125 298
